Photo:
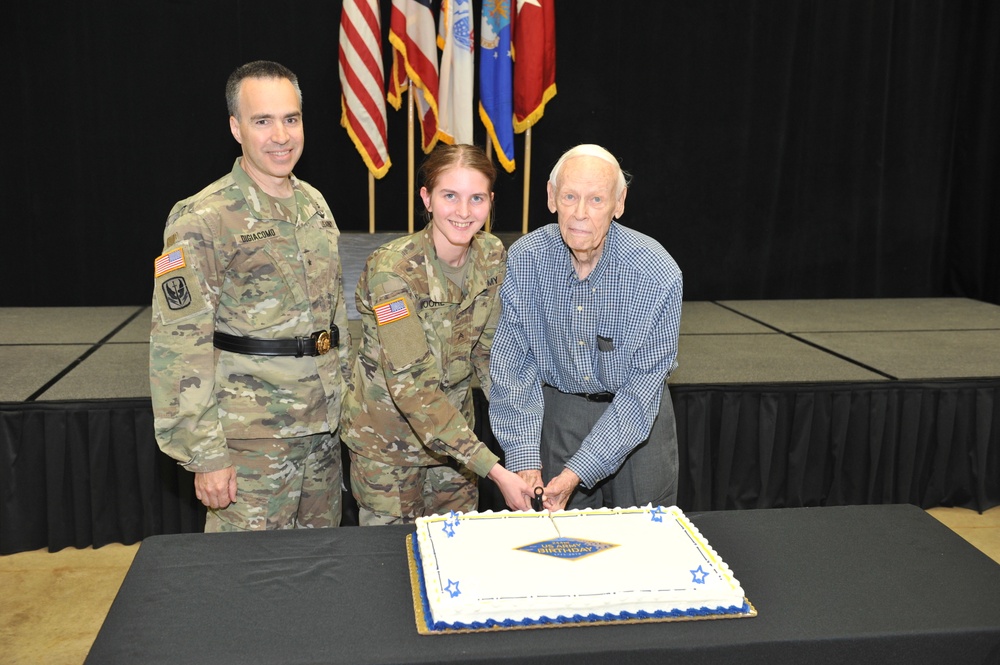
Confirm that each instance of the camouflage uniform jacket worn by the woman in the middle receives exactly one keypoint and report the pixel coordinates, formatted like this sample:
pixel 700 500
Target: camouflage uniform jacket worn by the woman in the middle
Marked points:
pixel 411 398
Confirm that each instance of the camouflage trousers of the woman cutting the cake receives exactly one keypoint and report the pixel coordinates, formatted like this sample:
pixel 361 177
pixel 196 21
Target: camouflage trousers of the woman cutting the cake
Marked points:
pixel 390 494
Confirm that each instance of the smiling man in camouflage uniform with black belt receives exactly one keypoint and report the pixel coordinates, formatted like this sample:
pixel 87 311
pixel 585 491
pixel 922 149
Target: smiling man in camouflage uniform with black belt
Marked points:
pixel 246 368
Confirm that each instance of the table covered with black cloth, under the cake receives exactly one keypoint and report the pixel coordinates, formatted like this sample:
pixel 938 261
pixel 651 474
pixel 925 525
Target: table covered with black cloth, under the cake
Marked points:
pixel 851 584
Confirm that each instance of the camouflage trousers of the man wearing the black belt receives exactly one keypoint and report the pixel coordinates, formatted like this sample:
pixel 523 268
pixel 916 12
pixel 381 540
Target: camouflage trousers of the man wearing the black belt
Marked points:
pixel 282 484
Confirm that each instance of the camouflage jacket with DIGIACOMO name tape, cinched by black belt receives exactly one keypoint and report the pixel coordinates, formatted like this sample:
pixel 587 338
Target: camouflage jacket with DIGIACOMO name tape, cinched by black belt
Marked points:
pixel 240 262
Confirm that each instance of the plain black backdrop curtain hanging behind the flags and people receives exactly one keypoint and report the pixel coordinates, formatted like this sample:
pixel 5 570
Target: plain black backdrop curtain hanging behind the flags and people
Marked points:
pixel 780 148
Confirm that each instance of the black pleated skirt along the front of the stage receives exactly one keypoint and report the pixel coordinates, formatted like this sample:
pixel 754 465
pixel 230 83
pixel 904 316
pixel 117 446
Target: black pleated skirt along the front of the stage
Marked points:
pixel 72 474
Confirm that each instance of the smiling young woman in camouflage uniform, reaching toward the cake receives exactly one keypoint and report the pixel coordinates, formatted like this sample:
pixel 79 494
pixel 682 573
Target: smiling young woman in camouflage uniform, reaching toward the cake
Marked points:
pixel 429 307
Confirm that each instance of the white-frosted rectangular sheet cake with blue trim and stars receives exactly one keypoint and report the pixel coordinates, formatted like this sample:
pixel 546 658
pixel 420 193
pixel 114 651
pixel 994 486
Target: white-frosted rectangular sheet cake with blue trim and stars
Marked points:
pixel 522 568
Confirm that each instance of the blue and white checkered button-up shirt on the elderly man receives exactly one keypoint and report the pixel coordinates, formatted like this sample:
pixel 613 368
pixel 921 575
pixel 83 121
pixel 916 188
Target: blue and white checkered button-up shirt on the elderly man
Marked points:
pixel 549 330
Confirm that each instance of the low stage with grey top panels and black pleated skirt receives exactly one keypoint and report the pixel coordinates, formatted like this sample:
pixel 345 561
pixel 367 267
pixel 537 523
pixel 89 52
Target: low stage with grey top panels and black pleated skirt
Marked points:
pixel 779 404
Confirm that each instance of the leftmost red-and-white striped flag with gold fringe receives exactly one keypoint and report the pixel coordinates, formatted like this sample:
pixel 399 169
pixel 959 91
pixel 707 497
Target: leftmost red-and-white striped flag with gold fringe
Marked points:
pixel 362 82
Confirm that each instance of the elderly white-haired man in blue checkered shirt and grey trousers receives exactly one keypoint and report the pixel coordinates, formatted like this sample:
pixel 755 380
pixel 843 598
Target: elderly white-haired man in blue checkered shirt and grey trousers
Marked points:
pixel 586 341
